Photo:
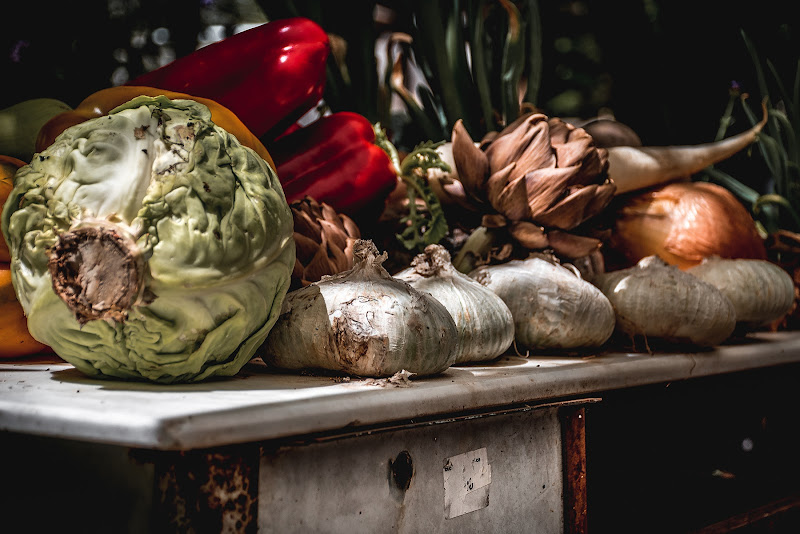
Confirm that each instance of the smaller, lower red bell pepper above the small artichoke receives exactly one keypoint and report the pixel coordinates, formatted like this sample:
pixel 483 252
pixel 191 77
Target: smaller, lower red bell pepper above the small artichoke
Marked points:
pixel 336 160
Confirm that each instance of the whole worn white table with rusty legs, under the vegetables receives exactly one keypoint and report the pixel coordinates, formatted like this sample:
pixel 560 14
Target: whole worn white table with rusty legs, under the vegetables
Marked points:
pixel 299 453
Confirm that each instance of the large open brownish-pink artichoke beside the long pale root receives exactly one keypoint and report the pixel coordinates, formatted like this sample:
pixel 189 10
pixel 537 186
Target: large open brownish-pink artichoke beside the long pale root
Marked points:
pixel 539 178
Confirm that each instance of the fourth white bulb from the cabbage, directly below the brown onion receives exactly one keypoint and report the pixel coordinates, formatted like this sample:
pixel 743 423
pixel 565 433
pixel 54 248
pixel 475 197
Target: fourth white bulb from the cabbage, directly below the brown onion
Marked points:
pixel 657 300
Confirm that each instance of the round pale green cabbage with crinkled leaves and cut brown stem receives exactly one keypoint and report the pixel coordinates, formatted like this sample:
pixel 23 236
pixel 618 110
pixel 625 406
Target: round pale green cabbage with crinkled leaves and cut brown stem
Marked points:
pixel 150 244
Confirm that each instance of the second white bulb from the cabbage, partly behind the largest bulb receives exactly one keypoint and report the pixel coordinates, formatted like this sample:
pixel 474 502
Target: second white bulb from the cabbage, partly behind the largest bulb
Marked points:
pixel 484 322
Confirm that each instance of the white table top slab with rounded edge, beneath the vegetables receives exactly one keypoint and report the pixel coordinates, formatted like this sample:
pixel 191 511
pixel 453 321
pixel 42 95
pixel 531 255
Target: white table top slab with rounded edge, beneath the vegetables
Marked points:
pixel 48 397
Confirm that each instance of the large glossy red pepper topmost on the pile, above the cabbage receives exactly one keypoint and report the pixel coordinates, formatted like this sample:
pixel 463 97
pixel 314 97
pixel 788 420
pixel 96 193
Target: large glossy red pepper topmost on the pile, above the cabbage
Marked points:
pixel 269 76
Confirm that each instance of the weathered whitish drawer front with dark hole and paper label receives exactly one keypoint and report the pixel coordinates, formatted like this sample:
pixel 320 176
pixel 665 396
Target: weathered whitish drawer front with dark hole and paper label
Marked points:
pixel 395 481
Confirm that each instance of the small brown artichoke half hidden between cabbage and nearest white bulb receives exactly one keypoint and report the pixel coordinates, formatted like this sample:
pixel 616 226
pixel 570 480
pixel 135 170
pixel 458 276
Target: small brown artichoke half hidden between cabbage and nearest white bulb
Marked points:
pixel 324 241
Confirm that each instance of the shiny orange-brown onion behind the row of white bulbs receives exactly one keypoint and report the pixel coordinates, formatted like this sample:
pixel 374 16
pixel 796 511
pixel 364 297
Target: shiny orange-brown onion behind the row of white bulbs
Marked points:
pixel 682 222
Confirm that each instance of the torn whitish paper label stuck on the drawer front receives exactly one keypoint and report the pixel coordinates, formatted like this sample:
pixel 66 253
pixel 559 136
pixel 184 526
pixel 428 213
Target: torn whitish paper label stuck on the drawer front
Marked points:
pixel 466 483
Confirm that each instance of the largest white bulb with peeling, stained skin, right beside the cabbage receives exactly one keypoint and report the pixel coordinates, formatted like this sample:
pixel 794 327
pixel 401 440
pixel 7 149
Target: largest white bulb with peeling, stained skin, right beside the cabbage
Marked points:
pixel 362 322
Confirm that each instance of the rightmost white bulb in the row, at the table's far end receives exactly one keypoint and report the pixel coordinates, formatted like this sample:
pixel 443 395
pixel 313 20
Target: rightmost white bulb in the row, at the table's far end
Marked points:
pixel 760 291
